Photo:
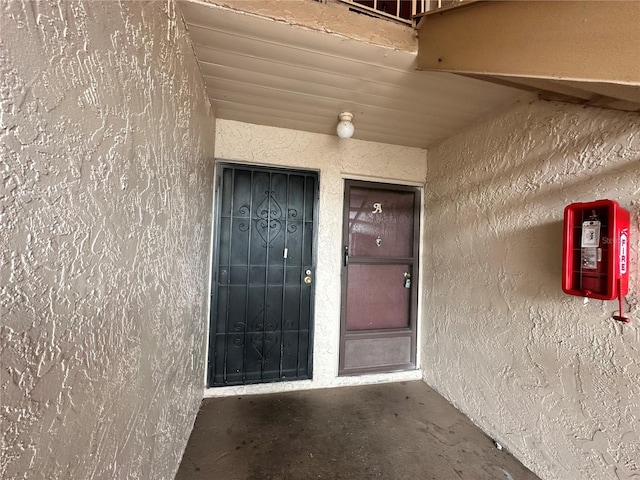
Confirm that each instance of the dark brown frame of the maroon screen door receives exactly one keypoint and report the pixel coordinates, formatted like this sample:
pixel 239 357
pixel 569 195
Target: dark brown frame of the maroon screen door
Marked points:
pixel 412 330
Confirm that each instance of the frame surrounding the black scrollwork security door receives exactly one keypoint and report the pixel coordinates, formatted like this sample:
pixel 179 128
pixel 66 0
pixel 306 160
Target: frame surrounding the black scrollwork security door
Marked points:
pixel 219 165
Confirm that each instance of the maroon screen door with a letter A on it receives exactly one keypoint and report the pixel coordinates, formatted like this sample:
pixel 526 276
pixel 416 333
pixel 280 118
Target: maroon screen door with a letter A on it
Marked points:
pixel 379 278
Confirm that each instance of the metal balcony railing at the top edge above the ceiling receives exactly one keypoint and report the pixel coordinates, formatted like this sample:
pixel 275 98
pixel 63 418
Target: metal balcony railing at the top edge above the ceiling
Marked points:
pixel 399 10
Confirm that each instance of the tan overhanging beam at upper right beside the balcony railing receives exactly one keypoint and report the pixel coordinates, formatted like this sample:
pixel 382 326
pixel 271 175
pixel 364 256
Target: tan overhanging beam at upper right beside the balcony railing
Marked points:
pixel 591 47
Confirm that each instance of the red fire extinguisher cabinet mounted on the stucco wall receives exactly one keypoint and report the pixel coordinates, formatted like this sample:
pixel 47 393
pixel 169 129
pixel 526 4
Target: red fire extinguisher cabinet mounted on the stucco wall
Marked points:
pixel 595 260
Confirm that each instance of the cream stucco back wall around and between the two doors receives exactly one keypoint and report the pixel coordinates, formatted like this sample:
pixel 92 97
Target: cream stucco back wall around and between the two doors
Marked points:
pixel 336 160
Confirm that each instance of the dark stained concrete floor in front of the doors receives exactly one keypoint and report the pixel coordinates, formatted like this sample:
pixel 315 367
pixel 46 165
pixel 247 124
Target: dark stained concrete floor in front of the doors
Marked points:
pixel 391 431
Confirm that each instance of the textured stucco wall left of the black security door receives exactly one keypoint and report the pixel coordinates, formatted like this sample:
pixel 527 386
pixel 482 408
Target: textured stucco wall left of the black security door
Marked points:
pixel 106 154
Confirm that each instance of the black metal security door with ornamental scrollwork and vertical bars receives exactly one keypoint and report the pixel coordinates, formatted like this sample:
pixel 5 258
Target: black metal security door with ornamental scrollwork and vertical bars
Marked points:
pixel 263 277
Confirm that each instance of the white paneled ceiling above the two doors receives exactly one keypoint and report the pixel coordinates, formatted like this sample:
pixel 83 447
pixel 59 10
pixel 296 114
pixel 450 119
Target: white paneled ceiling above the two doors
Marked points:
pixel 267 72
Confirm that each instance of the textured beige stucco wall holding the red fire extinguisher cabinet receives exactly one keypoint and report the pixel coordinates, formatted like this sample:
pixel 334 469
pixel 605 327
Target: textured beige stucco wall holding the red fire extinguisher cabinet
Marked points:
pixel 551 377
